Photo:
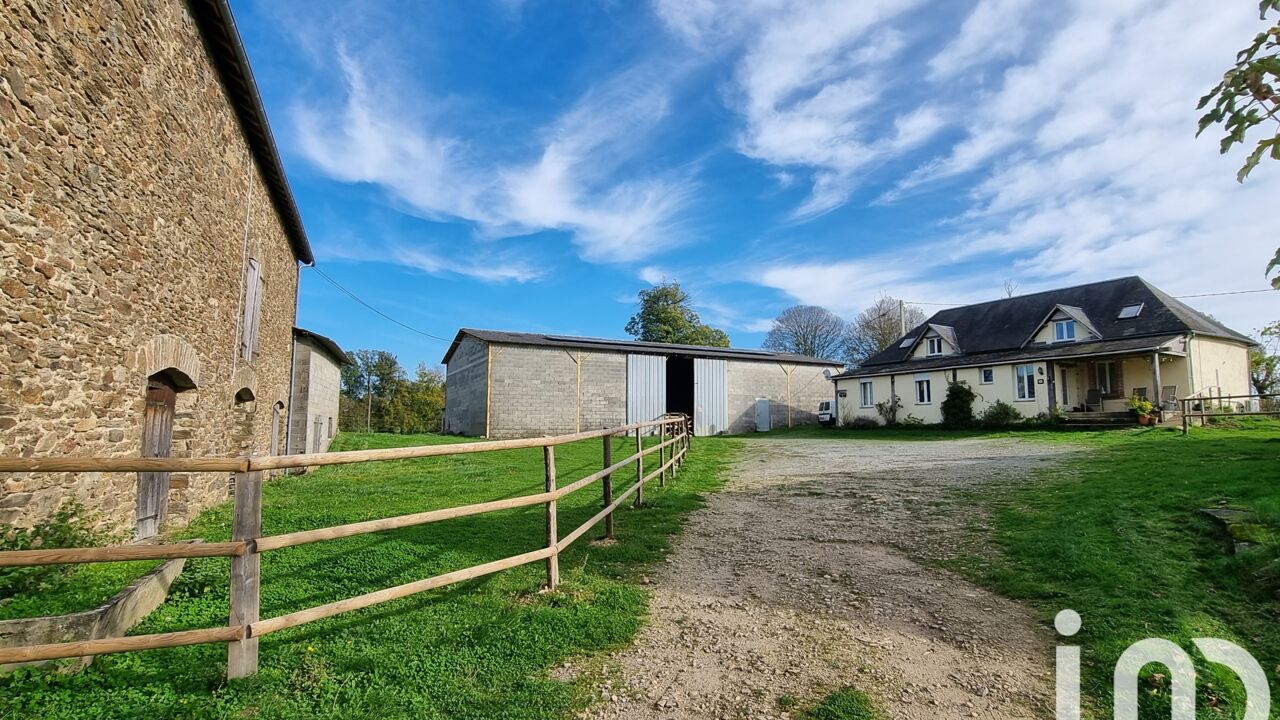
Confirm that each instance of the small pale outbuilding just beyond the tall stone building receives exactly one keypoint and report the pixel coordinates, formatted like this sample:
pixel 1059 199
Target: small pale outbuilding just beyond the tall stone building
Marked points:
pixel 317 386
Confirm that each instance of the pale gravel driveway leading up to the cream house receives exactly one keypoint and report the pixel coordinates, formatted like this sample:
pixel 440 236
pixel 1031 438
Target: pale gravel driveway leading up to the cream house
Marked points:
pixel 804 576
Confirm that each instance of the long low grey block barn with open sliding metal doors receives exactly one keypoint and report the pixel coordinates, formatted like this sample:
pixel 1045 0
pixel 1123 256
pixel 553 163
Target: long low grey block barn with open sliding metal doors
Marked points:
pixel 505 385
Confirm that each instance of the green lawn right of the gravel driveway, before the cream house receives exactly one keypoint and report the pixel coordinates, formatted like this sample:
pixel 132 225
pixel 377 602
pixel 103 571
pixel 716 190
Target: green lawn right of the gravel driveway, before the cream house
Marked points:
pixel 1116 536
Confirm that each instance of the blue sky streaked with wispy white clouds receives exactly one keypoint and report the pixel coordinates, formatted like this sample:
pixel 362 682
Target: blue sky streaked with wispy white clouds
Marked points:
pixel 532 166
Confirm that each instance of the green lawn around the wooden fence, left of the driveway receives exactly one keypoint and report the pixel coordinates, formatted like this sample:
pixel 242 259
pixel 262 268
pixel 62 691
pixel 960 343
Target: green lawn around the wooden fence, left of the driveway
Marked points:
pixel 479 650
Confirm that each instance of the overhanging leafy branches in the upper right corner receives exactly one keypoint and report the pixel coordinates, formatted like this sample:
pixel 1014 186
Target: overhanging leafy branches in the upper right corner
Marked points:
pixel 1247 98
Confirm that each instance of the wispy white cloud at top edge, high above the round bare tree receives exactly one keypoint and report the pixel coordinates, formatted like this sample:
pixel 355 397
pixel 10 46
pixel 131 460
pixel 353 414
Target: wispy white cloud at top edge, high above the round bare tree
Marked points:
pixel 811 85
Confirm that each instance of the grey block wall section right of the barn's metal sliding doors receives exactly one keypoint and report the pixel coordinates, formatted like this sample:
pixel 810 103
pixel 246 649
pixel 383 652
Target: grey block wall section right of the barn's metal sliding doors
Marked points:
pixel 751 380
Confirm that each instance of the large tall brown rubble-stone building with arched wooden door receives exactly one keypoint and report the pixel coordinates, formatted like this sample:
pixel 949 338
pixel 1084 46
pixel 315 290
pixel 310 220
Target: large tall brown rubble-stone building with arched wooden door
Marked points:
pixel 150 250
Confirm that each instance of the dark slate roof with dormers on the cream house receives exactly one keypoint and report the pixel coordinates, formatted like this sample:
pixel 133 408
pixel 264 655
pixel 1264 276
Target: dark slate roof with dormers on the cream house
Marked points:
pixel 998 331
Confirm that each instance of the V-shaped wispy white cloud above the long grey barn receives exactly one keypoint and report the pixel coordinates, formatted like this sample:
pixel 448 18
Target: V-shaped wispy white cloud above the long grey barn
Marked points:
pixel 570 186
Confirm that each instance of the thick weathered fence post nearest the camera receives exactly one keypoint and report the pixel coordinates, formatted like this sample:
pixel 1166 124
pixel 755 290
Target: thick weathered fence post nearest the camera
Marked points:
pixel 246 573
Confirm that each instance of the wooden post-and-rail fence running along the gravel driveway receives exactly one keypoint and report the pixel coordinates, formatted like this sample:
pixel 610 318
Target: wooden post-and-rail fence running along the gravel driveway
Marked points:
pixel 248 544
